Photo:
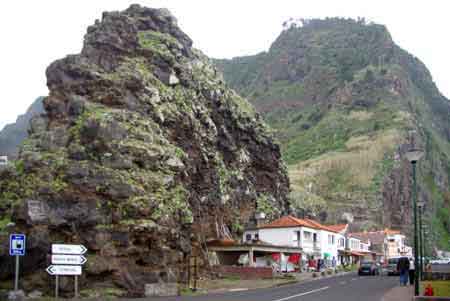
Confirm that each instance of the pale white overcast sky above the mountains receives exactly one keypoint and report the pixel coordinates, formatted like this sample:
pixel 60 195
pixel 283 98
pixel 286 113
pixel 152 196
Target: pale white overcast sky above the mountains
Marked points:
pixel 35 33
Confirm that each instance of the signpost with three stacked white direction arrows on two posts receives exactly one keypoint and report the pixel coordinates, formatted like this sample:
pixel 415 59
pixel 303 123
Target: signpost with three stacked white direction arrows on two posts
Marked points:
pixel 67 261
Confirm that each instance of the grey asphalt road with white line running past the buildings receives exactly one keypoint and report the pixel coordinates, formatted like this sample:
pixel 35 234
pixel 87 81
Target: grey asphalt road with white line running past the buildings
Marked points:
pixel 340 288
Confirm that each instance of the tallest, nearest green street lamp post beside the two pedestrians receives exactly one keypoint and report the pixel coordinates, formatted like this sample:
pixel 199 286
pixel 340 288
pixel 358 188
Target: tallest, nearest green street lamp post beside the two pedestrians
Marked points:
pixel 413 156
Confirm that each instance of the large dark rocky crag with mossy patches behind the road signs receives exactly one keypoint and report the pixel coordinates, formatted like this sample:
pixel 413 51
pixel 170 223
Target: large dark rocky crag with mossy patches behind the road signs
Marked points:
pixel 143 155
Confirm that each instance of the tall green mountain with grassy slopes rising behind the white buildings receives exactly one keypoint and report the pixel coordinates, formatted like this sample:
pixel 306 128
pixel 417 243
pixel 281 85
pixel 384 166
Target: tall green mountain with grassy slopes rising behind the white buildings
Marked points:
pixel 343 98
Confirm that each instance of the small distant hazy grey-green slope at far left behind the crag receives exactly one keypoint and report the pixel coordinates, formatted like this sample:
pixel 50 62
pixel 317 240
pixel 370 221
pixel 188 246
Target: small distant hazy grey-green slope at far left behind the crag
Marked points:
pixel 12 135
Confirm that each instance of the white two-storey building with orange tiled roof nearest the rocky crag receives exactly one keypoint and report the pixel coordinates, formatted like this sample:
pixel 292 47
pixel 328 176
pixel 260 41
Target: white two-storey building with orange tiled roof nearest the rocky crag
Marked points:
pixel 315 240
